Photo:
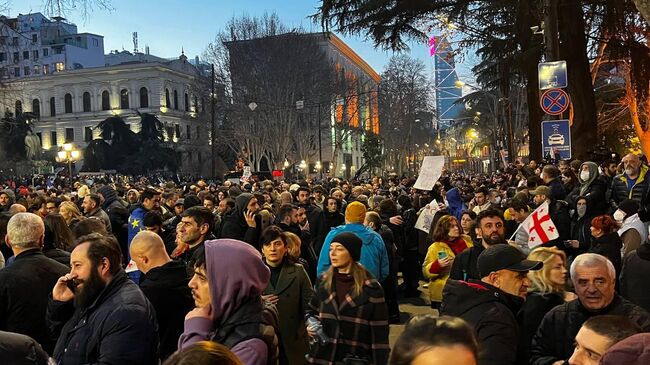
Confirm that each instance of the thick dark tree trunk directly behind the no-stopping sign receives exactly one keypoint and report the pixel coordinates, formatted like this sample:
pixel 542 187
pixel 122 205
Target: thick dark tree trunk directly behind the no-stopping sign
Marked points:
pixel 573 49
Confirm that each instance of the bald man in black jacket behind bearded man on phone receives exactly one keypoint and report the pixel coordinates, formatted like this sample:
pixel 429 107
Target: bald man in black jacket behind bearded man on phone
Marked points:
pixel 165 285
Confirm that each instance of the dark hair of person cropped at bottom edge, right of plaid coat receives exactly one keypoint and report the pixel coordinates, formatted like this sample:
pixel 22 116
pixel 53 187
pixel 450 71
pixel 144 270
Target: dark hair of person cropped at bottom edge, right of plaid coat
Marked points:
pixel 426 331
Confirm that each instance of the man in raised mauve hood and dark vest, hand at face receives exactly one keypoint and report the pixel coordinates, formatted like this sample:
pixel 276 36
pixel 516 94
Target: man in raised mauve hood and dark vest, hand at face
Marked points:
pixel 229 308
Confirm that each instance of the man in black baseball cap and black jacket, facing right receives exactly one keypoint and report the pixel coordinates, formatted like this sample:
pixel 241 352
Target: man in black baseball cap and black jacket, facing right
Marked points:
pixel 491 305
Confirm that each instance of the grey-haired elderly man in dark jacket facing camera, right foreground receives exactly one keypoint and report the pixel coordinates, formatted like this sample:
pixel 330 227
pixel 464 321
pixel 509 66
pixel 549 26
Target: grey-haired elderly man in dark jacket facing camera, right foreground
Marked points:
pixel 594 279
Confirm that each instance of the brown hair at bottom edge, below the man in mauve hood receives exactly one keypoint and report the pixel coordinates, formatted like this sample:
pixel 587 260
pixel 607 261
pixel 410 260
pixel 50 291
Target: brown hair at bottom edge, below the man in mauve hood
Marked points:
pixel 204 353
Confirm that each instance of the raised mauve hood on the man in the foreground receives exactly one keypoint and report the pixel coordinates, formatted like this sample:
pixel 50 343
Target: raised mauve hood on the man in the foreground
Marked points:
pixel 247 275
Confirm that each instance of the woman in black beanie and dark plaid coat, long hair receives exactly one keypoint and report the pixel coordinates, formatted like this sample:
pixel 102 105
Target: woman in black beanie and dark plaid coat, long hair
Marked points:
pixel 349 303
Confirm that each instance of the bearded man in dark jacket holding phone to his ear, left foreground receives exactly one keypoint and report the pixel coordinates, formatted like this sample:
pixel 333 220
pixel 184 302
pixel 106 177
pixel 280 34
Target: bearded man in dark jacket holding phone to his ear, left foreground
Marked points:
pixel 99 314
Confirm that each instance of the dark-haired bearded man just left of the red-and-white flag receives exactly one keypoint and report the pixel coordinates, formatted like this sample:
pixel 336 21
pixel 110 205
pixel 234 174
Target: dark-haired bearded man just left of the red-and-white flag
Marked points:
pixel 492 227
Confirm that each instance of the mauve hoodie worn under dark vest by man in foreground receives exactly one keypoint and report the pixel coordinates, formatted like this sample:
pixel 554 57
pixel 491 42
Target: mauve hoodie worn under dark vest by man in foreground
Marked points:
pixel 247 277
